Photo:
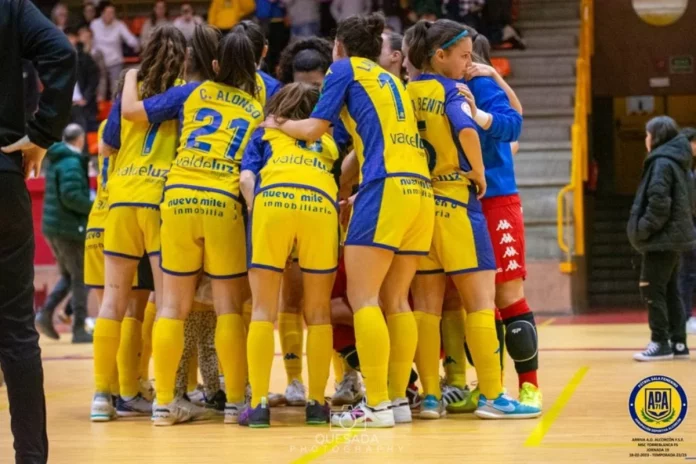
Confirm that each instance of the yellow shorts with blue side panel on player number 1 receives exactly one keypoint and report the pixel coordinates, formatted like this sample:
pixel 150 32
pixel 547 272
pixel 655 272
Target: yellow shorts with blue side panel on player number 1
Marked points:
pixel 396 213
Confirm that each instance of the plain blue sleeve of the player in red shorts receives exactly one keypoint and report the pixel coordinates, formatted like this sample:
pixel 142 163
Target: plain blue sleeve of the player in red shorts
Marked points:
pixel 507 123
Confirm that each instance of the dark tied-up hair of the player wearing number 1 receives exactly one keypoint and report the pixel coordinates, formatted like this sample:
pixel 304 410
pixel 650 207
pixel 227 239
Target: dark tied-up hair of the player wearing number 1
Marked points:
pixel 361 35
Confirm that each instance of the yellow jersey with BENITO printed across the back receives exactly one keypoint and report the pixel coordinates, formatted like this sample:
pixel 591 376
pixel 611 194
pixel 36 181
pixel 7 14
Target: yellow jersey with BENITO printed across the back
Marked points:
pixel 442 113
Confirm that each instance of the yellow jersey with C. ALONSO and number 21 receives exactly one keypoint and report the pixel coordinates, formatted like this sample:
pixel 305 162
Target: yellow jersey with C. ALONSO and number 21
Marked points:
pixel 216 123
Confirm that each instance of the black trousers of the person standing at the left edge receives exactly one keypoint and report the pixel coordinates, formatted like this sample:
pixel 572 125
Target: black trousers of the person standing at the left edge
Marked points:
pixel 20 355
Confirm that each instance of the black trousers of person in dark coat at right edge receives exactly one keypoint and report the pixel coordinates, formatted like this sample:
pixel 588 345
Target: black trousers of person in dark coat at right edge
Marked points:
pixel 659 289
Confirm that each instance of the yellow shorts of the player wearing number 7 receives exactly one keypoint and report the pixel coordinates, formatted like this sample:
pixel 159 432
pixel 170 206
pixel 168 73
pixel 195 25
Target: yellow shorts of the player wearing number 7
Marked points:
pixel 132 231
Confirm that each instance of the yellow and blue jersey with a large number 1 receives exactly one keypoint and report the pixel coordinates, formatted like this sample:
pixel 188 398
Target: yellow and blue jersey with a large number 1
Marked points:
pixel 374 106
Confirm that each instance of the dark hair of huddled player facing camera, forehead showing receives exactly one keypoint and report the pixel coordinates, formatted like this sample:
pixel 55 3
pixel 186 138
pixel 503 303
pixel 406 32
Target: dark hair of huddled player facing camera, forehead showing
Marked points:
pixel 312 54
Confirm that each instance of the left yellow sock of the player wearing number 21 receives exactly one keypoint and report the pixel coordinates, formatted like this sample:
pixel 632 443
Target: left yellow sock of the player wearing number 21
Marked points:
pixel 167 348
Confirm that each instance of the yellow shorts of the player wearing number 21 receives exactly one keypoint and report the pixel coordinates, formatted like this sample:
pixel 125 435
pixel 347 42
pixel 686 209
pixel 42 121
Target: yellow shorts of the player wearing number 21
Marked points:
pixel 202 229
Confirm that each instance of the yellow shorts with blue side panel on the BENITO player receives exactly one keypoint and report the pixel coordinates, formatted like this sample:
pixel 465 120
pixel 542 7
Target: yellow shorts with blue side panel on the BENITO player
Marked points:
pixel 461 242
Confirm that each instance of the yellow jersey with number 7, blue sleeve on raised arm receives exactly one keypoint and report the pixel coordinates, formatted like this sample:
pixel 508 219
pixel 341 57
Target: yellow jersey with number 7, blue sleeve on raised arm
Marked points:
pixel 145 154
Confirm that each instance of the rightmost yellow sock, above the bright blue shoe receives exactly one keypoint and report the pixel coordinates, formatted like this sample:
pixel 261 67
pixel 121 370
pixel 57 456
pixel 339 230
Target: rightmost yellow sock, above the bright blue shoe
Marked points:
pixel 483 344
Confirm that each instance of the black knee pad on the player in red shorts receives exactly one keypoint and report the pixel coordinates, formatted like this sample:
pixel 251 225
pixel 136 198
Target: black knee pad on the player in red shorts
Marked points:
pixel 522 342
